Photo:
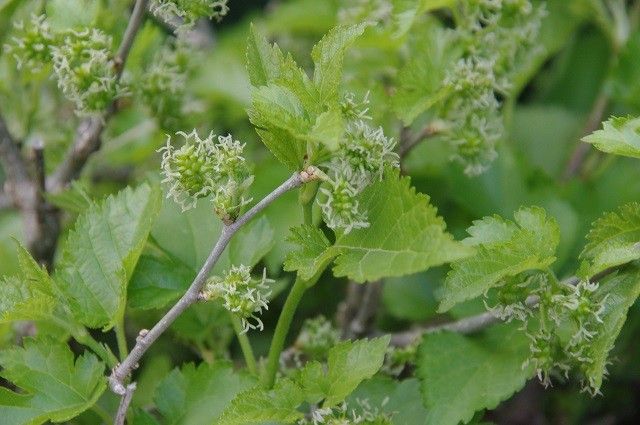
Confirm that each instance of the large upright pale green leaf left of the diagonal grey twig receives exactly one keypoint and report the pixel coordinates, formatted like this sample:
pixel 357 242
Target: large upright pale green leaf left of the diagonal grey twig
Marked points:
pixel 101 252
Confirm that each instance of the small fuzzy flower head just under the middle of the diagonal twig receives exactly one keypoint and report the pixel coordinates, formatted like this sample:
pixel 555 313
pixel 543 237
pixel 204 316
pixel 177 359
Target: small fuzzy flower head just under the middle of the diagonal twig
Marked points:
pixel 241 294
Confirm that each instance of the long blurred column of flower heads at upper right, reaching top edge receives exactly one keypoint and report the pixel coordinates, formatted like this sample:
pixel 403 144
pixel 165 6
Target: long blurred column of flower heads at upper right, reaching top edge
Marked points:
pixel 495 36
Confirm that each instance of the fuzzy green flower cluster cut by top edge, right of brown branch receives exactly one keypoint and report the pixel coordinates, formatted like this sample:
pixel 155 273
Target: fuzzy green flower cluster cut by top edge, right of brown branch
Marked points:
pixel 189 10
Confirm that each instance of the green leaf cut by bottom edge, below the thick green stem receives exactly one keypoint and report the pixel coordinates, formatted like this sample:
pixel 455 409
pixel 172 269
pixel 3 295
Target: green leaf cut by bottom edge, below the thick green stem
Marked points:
pixel 258 405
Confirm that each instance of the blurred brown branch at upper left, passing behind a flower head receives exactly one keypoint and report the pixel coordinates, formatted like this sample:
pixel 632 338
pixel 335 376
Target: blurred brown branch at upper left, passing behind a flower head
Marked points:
pixel 87 139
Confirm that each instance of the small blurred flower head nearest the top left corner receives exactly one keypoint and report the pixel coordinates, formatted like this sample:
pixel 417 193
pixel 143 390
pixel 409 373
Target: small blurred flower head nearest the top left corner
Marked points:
pixel 31 46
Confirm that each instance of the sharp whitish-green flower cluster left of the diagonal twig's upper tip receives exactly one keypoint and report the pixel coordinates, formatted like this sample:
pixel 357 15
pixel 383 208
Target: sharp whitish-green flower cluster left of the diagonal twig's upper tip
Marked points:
pixel 211 167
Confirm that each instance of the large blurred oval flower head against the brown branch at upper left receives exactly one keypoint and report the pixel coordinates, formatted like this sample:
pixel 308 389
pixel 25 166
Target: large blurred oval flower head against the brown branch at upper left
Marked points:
pixel 84 67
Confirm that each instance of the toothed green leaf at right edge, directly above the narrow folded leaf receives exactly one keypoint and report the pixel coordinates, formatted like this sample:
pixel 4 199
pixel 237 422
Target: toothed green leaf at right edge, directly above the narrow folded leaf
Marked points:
pixel 614 239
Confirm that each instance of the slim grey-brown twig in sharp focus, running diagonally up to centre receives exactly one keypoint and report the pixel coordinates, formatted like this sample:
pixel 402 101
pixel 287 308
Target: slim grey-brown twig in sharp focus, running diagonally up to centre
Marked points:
pixel 147 338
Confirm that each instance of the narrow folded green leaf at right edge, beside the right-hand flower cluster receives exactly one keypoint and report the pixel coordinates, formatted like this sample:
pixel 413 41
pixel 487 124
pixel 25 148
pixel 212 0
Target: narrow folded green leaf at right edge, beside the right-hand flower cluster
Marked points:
pixel 621 292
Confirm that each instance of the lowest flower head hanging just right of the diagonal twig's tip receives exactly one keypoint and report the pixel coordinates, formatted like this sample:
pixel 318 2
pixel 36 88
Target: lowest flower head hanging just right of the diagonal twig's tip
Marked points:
pixel 341 209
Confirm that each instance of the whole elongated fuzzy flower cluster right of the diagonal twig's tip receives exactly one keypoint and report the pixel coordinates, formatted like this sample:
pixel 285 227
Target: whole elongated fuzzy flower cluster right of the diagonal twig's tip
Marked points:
pixel 360 159
